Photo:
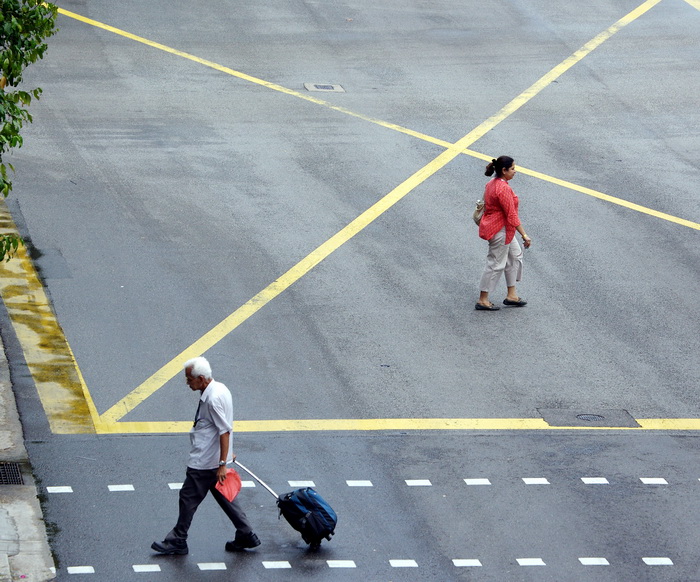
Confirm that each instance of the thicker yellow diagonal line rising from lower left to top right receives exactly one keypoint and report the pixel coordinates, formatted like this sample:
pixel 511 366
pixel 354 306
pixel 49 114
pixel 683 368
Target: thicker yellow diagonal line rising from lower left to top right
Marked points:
pixel 169 370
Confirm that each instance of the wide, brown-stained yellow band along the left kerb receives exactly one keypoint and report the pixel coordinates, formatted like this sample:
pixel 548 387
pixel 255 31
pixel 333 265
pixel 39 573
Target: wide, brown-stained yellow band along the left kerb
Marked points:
pixel 66 400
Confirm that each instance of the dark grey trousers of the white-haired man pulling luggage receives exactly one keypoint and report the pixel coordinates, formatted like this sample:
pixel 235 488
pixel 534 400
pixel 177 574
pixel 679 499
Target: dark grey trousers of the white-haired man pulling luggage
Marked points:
pixel 195 488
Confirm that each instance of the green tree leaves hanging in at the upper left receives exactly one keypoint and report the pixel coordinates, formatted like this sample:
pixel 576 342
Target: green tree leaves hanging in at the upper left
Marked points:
pixel 24 27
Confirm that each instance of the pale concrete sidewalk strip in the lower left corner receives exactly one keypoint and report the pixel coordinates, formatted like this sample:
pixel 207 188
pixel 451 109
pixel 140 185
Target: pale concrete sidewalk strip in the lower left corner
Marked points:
pixel 24 549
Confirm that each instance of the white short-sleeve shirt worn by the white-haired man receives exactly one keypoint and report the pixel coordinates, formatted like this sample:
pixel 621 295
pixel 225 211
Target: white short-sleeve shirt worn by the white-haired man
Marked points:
pixel 215 417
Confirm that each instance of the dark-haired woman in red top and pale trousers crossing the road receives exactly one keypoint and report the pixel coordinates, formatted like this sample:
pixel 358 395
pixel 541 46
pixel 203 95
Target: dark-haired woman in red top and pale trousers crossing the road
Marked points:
pixel 498 226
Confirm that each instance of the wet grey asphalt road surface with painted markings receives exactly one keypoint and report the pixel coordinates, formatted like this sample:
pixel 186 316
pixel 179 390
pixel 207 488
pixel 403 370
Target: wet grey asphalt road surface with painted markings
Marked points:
pixel 183 192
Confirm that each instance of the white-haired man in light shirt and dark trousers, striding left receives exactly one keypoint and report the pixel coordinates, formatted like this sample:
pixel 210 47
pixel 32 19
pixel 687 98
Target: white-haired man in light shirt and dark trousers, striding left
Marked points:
pixel 210 439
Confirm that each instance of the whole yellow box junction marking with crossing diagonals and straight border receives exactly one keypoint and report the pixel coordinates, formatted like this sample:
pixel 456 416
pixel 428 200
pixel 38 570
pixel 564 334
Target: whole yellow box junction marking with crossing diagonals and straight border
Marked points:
pixel 109 421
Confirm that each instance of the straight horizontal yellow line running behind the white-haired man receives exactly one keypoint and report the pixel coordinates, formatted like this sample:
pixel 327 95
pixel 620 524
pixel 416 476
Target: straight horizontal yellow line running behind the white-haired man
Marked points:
pixel 393 424
